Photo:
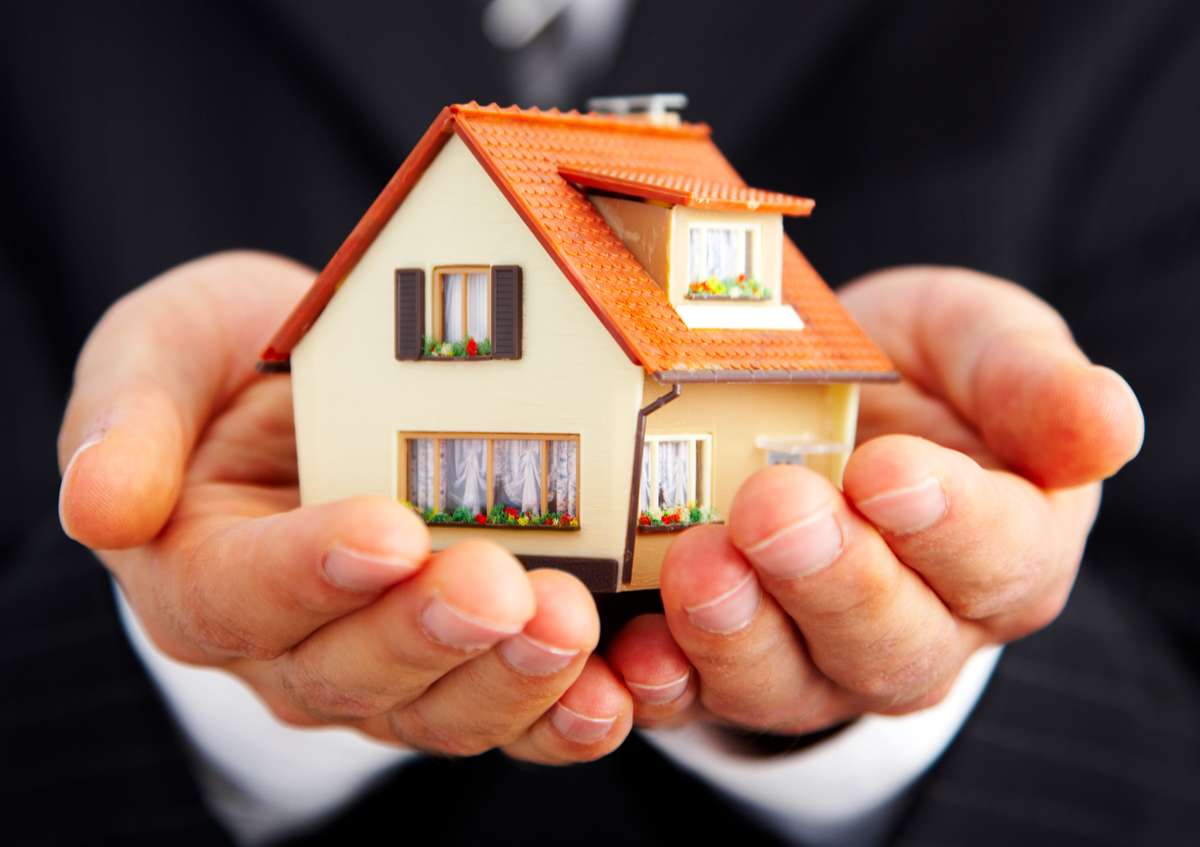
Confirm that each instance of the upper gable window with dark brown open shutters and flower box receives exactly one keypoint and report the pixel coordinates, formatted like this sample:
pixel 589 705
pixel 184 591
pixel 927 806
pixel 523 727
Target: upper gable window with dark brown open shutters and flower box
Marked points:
pixel 476 313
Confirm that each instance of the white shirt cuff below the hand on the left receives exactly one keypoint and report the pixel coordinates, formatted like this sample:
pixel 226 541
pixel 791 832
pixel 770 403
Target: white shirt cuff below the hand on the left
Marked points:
pixel 262 779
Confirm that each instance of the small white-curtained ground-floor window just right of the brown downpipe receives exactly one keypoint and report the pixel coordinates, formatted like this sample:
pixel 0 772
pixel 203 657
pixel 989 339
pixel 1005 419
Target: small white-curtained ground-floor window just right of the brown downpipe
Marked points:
pixel 676 485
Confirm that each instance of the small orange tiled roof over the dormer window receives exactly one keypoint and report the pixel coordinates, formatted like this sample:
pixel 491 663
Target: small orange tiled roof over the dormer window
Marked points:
pixel 686 190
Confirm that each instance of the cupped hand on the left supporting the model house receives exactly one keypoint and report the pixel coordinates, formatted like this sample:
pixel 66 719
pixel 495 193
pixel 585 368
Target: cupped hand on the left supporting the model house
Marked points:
pixel 179 471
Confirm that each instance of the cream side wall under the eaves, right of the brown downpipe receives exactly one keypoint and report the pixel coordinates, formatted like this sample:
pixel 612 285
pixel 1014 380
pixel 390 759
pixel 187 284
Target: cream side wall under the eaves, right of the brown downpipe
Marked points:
pixel 735 415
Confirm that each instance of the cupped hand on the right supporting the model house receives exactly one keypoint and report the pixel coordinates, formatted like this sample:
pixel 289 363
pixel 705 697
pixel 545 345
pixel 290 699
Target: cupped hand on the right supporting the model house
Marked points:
pixel 963 521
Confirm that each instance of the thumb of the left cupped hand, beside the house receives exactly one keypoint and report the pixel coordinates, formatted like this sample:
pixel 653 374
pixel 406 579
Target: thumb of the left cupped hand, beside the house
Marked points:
pixel 147 382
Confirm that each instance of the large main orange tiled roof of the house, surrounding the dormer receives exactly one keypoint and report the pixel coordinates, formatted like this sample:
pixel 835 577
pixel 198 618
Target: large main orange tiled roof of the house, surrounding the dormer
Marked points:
pixel 524 151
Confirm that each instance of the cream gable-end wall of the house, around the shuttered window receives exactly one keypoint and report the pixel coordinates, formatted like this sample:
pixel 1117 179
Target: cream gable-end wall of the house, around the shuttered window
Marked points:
pixel 352 398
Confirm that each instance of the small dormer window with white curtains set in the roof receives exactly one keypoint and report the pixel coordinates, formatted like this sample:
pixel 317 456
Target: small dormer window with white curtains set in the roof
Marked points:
pixel 722 263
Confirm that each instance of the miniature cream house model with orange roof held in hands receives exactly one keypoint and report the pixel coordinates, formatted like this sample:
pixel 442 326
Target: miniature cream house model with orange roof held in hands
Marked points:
pixel 573 335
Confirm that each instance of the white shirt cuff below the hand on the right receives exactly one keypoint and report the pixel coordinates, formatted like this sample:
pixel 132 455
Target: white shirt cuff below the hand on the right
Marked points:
pixel 845 790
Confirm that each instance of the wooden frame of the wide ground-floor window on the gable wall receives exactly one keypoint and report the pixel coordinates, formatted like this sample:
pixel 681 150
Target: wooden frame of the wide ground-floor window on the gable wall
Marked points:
pixel 490 438
